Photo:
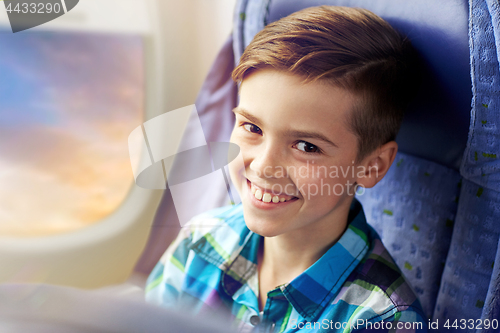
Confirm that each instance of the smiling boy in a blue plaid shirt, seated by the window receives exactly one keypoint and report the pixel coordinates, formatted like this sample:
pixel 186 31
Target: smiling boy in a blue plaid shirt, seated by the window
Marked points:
pixel 322 93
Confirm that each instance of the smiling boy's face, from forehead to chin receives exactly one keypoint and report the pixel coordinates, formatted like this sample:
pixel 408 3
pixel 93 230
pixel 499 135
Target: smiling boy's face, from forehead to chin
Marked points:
pixel 296 146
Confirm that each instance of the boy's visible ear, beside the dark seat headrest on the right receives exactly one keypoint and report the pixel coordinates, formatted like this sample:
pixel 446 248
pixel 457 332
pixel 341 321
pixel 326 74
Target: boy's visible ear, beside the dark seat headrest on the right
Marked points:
pixel 374 167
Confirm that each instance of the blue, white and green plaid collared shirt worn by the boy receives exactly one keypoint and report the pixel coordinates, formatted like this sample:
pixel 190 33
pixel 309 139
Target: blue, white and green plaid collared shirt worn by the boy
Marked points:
pixel 354 287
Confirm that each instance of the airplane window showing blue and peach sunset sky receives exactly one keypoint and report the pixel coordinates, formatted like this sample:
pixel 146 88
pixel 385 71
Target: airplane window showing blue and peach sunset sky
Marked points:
pixel 68 103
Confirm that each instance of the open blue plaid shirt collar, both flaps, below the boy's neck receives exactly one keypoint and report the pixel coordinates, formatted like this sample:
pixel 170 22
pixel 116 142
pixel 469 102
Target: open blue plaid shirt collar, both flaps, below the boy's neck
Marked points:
pixel 311 291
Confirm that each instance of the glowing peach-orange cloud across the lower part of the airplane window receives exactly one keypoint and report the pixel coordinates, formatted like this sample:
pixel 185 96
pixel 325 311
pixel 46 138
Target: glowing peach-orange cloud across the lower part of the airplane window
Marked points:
pixel 53 183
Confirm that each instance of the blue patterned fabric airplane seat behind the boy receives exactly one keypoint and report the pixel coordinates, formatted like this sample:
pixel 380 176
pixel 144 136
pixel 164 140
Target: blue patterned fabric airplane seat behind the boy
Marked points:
pixel 437 210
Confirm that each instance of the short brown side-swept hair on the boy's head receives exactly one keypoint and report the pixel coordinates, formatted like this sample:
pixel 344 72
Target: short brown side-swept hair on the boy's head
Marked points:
pixel 352 48
